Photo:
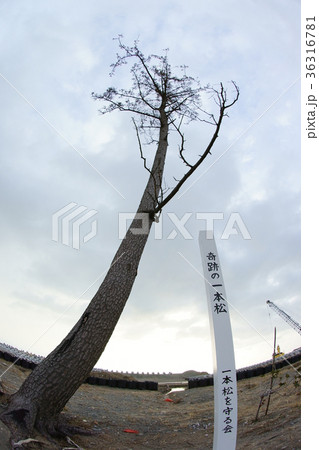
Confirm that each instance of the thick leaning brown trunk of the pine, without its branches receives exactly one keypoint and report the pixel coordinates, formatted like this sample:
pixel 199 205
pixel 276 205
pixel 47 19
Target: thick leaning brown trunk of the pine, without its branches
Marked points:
pixel 52 383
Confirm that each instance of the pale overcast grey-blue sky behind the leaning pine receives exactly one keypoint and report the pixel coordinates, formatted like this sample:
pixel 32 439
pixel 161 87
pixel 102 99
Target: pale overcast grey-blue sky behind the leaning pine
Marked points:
pixel 57 149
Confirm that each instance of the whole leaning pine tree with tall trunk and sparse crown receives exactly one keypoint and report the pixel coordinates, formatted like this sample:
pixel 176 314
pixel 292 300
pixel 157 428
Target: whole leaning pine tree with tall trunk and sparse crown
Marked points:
pixel 160 101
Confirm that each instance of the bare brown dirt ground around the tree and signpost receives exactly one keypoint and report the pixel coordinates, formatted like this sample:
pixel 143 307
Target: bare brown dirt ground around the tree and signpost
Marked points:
pixel 131 419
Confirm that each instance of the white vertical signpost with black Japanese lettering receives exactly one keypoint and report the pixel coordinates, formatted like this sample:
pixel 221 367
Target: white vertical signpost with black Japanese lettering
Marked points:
pixel 225 385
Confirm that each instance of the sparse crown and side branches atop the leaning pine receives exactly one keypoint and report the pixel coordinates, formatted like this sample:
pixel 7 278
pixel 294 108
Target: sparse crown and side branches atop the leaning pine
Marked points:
pixel 158 95
